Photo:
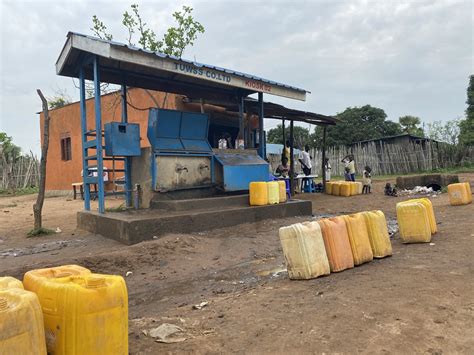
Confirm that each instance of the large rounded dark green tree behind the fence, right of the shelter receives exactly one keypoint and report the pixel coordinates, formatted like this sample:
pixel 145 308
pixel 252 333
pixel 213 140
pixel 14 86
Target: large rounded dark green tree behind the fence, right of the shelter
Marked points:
pixel 357 124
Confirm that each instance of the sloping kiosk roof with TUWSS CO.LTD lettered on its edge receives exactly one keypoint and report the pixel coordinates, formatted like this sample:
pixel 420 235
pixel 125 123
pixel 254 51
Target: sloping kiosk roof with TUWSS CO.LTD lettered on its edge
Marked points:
pixel 124 64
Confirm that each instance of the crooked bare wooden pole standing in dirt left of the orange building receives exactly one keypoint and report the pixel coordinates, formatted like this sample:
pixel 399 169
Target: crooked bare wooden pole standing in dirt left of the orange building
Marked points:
pixel 38 206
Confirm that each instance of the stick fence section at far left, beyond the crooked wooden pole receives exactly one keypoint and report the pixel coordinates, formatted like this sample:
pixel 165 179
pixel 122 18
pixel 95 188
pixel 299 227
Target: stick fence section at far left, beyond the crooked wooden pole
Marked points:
pixel 19 173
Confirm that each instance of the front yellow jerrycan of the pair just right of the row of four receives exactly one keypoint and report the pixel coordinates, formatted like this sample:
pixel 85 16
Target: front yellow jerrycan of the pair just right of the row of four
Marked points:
pixel 413 222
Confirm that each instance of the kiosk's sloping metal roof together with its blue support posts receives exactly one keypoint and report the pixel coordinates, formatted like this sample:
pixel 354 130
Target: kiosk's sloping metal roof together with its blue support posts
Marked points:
pixel 90 58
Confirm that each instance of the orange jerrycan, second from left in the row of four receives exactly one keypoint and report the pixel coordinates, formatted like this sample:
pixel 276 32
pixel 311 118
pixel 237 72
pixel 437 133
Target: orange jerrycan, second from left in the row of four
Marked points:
pixel 336 241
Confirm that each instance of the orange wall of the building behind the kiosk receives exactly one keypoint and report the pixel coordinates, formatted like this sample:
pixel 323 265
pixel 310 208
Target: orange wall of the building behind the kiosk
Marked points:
pixel 66 121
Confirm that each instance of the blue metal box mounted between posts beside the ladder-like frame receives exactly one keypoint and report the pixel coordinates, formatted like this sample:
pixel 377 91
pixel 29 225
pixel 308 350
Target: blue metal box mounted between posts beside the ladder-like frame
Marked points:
pixel 122 139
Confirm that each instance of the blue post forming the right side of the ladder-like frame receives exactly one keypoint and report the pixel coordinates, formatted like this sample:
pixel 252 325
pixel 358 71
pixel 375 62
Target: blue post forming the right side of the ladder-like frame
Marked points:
pixel 98 131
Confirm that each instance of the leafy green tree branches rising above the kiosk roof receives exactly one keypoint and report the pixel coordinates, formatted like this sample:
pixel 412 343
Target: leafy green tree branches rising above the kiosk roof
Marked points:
pixel 174 41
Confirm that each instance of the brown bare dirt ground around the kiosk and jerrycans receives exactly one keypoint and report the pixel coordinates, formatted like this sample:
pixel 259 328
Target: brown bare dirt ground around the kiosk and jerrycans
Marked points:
pixel 420 300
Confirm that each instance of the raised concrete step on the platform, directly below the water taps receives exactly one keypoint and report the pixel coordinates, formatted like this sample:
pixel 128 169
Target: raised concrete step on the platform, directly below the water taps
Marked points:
pixel 201 203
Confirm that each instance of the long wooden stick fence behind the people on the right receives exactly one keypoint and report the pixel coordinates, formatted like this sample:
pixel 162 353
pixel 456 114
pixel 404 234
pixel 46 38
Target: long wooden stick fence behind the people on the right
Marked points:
pixel 389 159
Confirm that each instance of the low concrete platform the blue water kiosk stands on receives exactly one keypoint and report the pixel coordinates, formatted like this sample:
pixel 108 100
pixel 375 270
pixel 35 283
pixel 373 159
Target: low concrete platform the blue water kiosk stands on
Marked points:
pixel 185 216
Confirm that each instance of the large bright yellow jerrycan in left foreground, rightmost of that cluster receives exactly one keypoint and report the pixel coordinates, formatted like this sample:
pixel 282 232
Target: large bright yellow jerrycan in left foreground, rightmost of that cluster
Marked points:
pixel 84 313
